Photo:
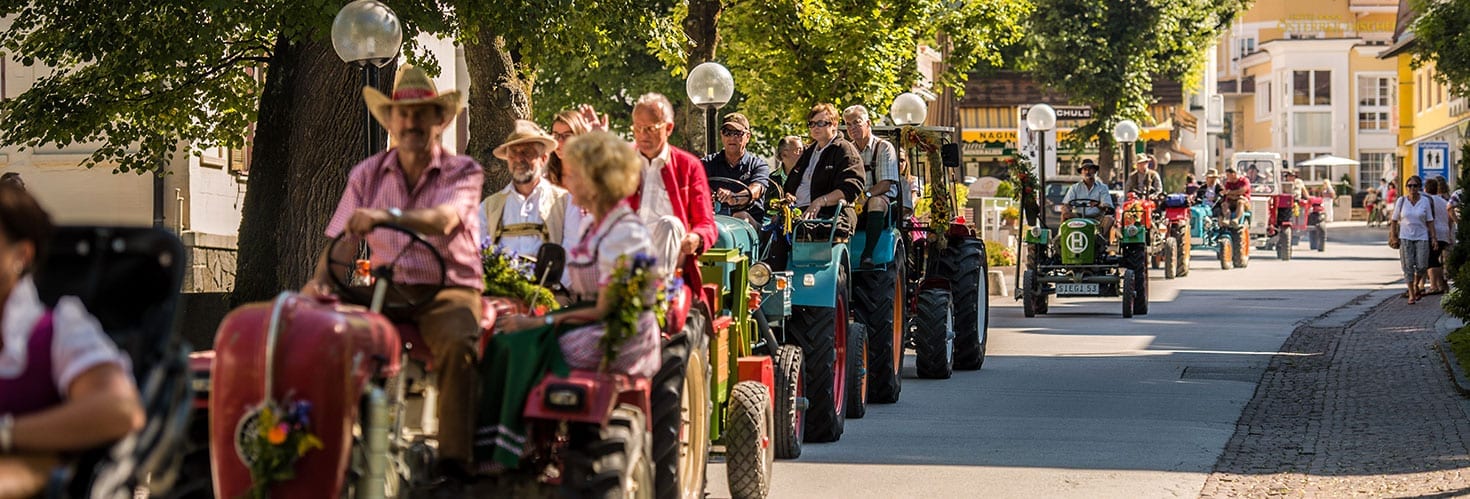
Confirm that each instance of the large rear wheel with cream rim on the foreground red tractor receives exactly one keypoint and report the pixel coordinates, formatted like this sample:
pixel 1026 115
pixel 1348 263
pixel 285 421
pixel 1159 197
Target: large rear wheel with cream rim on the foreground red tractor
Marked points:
pixel 681 411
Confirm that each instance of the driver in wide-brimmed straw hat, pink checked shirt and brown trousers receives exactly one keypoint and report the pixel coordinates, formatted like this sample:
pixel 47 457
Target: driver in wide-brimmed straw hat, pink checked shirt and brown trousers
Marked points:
pixel 427 189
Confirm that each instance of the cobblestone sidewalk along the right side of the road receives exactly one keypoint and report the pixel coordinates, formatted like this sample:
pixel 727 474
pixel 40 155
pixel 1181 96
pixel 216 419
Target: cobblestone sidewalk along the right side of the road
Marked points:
pixel 1363 408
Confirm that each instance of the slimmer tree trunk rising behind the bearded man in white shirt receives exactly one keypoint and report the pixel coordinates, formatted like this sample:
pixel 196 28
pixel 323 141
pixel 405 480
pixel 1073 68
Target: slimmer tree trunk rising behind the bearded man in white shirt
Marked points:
pixel 501 95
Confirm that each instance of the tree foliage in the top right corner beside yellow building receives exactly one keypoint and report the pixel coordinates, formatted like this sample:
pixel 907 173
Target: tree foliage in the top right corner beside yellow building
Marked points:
pixel 1440 39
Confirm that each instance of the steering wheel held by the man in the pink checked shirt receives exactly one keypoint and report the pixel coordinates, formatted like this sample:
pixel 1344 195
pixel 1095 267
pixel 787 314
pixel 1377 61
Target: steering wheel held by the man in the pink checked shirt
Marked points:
pixel 342 264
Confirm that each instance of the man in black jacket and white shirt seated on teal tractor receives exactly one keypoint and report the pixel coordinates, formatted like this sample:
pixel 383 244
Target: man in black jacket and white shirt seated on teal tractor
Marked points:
pixel 828 173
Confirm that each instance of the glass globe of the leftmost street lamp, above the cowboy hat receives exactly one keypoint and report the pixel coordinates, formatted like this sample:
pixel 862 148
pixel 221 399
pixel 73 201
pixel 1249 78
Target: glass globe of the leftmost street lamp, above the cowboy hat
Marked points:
pixel 367 32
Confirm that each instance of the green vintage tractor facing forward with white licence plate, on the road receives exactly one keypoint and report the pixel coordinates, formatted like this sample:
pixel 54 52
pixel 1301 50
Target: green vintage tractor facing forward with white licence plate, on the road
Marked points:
pixel 1074 264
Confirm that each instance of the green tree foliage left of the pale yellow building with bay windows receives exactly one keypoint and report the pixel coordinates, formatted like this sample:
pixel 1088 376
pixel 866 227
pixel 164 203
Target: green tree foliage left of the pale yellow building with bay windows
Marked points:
pixel 1106 54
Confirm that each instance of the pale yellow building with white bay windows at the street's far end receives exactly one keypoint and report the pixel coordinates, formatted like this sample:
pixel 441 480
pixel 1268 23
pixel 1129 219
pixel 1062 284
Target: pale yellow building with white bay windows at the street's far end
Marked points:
pixel 1303 79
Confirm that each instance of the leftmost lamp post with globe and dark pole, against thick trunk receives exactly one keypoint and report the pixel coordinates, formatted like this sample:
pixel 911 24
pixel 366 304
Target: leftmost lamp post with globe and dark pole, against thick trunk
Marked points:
pixel 368 33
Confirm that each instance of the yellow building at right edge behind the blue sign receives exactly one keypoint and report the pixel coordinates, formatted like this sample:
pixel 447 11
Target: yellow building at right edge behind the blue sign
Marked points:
pixel 1433 121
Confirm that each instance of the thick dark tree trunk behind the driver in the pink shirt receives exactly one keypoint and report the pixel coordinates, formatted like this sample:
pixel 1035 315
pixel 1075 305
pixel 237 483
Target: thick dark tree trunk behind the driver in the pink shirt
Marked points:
pixel 308 138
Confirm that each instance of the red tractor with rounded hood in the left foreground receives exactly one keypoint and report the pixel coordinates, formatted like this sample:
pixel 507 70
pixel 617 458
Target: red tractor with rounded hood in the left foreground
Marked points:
pixel 589 433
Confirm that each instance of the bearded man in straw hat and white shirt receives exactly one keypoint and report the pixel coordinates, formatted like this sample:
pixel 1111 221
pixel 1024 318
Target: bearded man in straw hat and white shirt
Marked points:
pixel 530 211
